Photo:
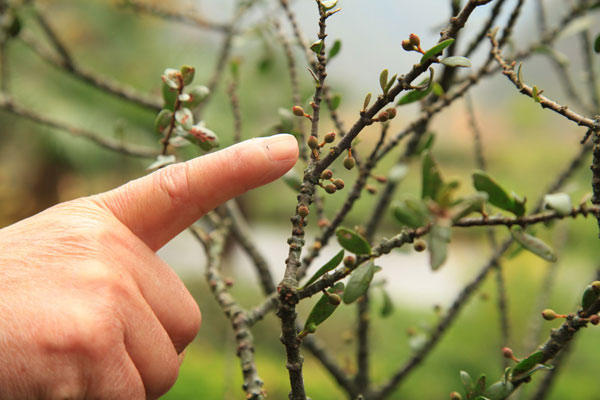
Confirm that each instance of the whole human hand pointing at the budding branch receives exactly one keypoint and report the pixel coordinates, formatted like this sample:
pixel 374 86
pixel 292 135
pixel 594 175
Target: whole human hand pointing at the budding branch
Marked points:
pixel 89 311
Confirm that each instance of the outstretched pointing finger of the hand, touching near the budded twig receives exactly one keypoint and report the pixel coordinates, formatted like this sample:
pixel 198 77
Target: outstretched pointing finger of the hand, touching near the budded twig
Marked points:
pixel 158 206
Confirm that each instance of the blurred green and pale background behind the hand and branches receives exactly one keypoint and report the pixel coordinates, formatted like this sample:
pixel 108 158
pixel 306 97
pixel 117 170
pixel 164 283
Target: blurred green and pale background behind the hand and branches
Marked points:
pixel 525 148
